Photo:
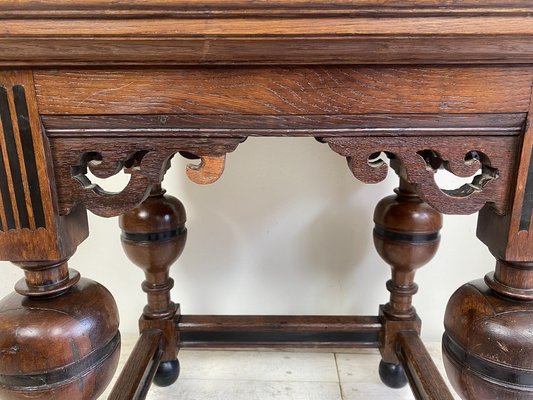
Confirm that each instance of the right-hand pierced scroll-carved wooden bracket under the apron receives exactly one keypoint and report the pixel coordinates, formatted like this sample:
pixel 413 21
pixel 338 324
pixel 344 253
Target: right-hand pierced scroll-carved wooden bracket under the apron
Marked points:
pixel 417 159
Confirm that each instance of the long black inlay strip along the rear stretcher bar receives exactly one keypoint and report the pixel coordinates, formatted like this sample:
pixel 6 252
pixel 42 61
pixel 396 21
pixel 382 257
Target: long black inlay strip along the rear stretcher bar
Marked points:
pixel 278 337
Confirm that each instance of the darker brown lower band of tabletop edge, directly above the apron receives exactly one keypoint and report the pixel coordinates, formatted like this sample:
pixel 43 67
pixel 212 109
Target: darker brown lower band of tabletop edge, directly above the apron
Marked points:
pixel 265 50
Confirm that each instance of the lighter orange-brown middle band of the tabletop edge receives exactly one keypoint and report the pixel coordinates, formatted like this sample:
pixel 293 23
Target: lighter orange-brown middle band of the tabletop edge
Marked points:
pixel 250 27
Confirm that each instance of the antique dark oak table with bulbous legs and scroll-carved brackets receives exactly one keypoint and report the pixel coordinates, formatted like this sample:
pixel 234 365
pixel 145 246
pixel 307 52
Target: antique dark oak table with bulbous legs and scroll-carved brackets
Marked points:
pixel 112 86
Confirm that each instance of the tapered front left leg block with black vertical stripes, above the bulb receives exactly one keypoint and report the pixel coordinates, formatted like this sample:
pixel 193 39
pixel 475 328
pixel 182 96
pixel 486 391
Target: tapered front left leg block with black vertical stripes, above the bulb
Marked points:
pixel 30 227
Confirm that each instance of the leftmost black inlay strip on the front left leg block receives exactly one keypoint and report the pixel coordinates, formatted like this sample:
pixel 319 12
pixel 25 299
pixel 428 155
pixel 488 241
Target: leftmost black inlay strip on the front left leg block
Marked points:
pixel 14 163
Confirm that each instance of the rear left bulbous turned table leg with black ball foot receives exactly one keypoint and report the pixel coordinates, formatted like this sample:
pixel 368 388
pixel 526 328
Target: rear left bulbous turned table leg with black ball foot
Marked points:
pixel 153 237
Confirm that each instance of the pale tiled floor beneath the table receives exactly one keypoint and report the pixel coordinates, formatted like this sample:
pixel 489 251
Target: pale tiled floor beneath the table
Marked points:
pixel 280 375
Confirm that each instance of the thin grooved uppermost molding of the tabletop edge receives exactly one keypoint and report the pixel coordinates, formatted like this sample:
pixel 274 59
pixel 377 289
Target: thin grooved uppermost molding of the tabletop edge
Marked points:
pixel 125 8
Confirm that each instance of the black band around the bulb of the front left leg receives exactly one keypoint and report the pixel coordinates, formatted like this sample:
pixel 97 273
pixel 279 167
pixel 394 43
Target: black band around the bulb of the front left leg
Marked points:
pixel 89 362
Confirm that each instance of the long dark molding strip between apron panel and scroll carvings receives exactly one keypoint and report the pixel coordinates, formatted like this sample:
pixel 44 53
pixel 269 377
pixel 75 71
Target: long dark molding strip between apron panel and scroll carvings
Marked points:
pixel 190 125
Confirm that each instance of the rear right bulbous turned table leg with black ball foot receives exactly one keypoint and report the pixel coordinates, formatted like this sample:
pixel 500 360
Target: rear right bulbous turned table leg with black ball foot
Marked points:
pixel 406 236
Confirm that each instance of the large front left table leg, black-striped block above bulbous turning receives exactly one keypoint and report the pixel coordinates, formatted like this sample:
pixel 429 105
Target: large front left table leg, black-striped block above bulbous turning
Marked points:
pixel 59 335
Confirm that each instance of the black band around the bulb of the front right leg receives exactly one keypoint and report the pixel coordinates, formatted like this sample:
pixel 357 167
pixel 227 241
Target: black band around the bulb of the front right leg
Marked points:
pixel 480 366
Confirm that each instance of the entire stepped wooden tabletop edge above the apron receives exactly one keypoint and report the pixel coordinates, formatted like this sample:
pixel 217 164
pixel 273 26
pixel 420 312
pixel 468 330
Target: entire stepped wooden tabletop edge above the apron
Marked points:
pixel 166 32
